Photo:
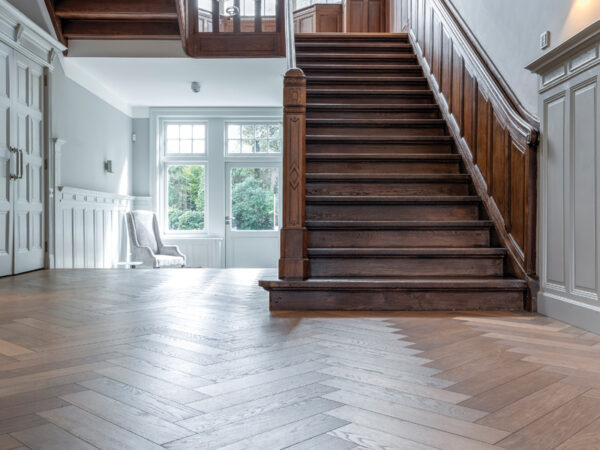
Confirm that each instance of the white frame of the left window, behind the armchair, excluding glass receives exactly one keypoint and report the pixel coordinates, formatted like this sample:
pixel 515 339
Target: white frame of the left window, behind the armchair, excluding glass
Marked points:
pixel 181 159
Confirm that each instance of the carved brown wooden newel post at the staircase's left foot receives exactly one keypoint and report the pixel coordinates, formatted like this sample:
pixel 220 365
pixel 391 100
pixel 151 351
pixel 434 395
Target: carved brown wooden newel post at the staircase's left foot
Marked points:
pixel 293 263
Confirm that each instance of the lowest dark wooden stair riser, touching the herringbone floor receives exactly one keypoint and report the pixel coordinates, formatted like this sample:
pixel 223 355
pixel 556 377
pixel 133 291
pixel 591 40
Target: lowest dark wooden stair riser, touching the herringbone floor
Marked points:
pixel 396 300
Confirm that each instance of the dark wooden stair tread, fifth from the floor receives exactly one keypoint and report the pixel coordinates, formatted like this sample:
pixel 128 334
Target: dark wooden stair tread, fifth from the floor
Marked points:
pixel 398 177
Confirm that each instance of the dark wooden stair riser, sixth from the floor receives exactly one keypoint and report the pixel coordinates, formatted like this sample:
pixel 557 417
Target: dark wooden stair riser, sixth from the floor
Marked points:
pixel 364 167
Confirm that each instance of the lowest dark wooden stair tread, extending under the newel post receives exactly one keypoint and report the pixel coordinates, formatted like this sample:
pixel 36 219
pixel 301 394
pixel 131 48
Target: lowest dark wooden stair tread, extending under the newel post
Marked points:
pixel 438 282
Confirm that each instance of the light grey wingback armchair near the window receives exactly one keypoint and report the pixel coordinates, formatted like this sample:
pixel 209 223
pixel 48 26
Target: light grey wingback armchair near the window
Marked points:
pixel 146 244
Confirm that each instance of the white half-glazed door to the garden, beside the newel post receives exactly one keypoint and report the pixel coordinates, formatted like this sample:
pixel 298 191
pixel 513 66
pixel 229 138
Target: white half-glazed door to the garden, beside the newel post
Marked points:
pixel 253 214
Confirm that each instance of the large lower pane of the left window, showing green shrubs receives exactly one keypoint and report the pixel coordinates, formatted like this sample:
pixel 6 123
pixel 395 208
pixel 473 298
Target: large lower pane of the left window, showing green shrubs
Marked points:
pixel 186 198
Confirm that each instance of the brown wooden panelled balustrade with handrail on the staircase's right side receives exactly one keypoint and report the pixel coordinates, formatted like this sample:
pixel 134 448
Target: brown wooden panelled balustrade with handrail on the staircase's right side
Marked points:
pixel 496 137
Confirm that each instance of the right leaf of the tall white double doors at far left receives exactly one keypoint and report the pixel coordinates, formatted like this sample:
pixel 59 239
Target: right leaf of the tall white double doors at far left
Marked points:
pixel 29 187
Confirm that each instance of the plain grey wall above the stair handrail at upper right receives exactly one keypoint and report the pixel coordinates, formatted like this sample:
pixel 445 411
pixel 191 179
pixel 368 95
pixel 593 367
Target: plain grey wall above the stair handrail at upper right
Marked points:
pixel 509 31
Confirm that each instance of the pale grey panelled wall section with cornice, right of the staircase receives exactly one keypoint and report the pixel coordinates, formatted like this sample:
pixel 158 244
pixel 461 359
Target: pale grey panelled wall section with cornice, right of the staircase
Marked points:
pixel 570 182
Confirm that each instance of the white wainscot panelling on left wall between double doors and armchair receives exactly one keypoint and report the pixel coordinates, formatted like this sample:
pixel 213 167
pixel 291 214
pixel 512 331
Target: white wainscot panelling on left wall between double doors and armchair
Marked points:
pixel 90 228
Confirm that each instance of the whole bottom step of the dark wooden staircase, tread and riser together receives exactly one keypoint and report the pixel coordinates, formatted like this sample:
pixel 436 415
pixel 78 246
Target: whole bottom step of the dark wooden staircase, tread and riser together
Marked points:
pixel 398 294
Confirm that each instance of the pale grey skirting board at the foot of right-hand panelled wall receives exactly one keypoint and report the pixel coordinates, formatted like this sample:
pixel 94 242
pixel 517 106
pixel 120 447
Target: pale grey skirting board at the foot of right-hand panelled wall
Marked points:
pixel 573 312
